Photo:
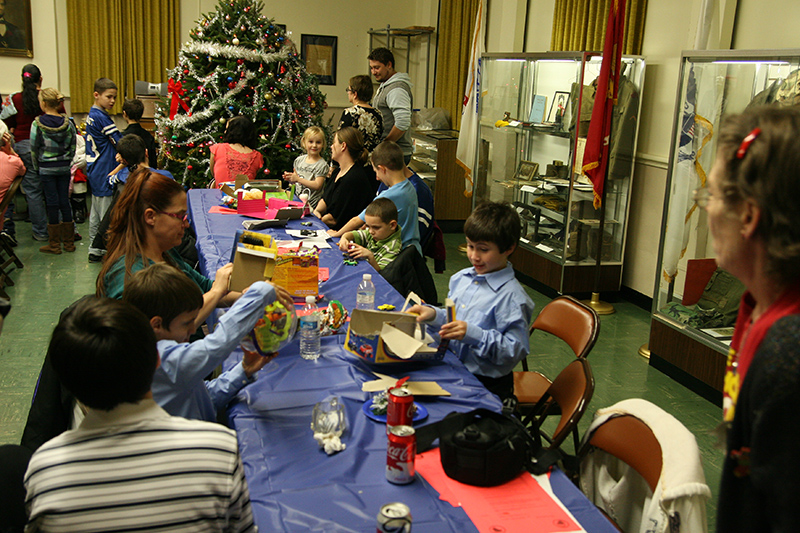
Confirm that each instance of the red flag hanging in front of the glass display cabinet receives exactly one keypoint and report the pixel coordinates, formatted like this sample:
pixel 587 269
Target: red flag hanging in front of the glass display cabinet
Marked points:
pixel 595 155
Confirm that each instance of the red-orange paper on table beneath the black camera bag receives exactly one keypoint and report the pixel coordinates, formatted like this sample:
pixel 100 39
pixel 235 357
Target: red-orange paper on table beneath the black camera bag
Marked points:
pixel 521 505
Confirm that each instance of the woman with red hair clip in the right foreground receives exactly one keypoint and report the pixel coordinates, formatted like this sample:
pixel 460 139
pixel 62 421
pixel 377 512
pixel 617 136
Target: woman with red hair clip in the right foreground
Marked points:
pixel 753 210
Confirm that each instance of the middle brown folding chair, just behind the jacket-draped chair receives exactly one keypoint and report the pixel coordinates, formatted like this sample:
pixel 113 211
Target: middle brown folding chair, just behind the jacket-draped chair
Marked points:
pixel 572 390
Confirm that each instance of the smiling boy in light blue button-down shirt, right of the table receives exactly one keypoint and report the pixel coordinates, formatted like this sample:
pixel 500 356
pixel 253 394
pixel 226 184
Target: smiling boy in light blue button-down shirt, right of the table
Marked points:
pixel 490 335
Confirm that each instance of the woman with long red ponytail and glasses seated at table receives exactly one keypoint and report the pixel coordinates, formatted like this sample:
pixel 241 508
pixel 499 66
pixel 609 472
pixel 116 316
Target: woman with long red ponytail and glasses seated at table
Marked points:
pixel 147 223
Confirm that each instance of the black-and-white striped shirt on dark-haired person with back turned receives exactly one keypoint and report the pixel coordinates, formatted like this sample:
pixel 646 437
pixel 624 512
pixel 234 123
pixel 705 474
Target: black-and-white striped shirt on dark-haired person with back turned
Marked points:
pixel 137 468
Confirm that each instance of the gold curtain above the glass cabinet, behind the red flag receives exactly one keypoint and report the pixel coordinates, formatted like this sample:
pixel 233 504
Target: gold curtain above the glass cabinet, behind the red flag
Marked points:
pixel 581 25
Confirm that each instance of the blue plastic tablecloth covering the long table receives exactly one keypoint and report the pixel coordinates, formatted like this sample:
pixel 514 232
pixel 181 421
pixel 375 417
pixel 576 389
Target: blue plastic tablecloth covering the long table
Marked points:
pixel 294 485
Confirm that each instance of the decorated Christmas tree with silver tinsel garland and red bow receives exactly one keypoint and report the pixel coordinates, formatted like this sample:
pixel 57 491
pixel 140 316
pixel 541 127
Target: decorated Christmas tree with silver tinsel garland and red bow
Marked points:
pixel 238 62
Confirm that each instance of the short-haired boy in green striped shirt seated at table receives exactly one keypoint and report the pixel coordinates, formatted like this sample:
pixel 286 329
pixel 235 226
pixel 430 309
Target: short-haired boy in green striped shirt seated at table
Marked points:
pixel 380 243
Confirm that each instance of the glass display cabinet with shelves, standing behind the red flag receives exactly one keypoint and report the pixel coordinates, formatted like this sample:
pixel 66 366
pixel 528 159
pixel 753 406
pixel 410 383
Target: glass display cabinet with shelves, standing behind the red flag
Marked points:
pixel 535 111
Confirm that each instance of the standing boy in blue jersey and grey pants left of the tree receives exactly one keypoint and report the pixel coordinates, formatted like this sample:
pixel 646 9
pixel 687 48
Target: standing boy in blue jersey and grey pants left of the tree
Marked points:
pixel 101 140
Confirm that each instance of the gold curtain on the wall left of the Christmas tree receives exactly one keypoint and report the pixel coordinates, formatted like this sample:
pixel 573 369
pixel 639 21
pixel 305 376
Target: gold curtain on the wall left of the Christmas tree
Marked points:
pixel 121 40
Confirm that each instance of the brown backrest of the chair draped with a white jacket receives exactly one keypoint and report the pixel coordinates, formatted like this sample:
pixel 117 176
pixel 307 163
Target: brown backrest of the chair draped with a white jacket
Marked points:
pixel 632 441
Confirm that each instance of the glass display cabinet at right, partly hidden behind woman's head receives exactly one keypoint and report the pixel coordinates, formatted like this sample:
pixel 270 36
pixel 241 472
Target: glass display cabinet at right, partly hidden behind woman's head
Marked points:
pixel 694 302
